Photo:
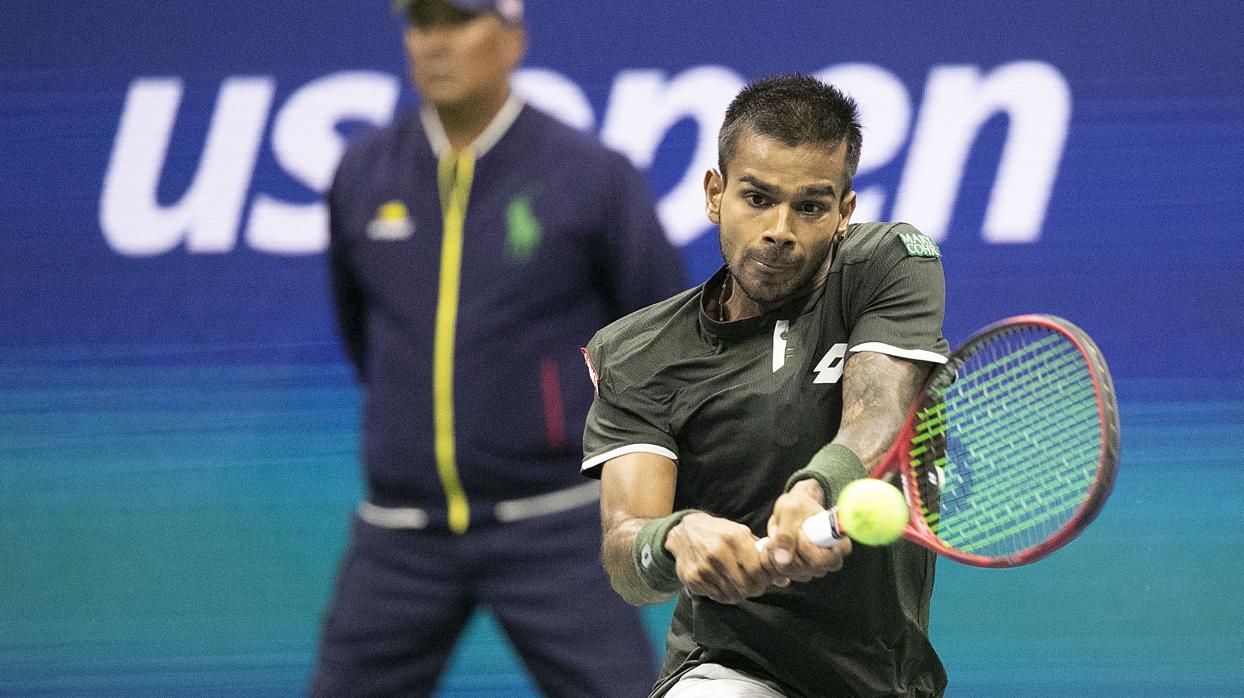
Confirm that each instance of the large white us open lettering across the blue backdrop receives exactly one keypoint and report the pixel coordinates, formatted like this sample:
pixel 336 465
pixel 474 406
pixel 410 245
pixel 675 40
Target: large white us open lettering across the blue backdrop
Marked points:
pixel 645 105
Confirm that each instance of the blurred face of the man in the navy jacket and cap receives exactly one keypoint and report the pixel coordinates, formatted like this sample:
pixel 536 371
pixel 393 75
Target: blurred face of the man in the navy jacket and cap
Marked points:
pixel 458 58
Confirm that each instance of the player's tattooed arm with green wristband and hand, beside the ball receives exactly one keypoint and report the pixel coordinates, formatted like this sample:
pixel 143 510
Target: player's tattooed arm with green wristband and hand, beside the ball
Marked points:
pixel 878 393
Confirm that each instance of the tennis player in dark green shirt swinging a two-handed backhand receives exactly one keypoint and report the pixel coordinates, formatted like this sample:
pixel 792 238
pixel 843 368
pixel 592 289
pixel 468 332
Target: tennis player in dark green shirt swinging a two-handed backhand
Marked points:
pixel 741 407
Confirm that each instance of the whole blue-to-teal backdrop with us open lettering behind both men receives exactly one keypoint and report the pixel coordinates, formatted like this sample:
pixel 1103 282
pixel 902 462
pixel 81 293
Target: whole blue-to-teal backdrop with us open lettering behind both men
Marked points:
pixel 179 429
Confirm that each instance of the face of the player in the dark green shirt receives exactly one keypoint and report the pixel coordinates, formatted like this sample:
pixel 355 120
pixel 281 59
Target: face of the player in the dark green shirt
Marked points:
pixel 779 213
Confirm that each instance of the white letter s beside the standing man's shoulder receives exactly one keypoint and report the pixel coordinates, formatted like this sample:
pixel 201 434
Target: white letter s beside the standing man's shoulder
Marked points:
pixel 308 146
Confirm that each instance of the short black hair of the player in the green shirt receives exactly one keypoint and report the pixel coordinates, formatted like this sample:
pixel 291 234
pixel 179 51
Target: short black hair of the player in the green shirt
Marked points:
pixel 794 110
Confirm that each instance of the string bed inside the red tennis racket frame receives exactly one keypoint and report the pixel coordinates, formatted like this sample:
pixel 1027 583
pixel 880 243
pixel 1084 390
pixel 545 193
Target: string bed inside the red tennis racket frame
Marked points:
pixel 1022 444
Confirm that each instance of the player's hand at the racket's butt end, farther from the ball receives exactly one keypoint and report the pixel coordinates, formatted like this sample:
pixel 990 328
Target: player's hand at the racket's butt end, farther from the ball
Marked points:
pixel 717 558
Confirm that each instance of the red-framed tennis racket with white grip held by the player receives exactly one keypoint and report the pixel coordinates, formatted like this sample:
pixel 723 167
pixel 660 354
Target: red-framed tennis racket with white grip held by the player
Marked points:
pixel 1011 450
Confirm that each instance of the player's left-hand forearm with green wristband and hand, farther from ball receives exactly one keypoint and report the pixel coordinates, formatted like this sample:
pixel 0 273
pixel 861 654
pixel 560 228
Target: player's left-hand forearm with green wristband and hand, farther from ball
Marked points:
pixel 650 553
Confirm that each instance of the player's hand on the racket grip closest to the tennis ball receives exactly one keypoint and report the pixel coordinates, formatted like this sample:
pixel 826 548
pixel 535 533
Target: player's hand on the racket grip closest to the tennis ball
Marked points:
pixel 789 554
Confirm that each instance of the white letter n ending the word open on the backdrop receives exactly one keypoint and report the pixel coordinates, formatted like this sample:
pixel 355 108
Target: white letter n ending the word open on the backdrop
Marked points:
pixel 959 101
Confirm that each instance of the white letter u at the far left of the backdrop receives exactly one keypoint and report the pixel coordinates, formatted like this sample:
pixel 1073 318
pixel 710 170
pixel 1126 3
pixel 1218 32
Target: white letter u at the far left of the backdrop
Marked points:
pixel 207 215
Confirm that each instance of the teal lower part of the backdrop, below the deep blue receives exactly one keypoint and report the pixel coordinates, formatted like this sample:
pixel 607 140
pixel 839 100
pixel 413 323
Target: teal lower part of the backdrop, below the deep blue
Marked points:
pixel 175 531
